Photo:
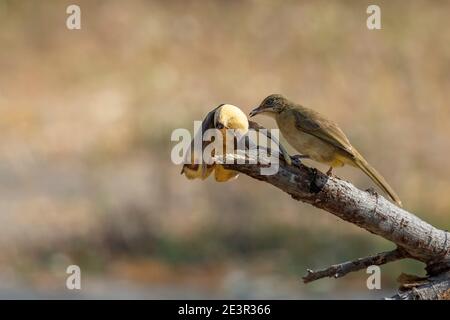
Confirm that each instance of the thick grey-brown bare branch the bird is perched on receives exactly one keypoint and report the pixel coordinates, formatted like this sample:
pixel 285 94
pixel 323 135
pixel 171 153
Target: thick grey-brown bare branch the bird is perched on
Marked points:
pixel 413 237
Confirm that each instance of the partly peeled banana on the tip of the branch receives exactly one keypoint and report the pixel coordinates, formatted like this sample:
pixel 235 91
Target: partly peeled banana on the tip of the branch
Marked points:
pixel 223 117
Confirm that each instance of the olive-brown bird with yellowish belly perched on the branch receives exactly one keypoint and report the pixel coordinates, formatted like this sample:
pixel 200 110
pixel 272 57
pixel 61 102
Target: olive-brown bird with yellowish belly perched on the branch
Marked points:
pixel 319 138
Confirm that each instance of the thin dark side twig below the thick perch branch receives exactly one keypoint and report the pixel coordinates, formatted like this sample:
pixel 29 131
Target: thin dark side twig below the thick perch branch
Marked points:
pixel 340 270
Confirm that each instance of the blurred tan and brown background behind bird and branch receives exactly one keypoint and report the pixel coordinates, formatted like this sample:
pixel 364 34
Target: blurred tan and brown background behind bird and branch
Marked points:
pixel 86 117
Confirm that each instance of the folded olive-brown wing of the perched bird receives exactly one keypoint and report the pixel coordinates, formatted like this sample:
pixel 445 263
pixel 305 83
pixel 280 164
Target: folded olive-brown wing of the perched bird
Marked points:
pixel 315 124
